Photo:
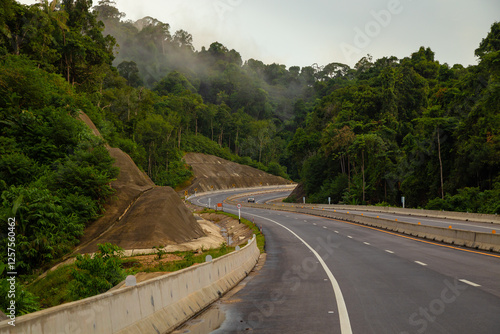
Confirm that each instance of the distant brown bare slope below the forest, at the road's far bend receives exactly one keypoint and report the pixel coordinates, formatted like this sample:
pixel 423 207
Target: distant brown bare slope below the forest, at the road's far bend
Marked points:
pixel 214 173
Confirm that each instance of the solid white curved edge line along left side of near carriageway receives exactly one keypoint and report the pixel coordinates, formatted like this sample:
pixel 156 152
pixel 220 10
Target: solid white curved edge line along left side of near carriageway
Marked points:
pixel 345 324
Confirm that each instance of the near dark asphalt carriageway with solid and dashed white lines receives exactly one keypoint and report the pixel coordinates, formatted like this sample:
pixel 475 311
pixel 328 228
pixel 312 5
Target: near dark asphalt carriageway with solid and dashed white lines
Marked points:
pixel 328 276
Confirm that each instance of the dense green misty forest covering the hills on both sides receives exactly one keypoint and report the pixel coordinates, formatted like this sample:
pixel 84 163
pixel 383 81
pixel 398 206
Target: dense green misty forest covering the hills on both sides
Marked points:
pixel 370 134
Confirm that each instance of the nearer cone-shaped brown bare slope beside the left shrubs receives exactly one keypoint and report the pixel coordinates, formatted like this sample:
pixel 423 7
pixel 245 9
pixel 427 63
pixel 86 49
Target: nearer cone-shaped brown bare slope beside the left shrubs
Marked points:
pixel 139 215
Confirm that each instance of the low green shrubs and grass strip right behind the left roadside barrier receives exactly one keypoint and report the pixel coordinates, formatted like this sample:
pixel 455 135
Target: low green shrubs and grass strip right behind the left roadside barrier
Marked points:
pixel 91 275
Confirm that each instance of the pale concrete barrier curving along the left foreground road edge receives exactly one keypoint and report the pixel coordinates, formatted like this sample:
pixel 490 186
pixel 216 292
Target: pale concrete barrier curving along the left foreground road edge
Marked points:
pixel 155 306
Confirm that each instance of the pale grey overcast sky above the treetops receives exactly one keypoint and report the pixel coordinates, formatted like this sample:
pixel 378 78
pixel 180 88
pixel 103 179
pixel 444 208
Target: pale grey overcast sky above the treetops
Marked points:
pixel 325 31
